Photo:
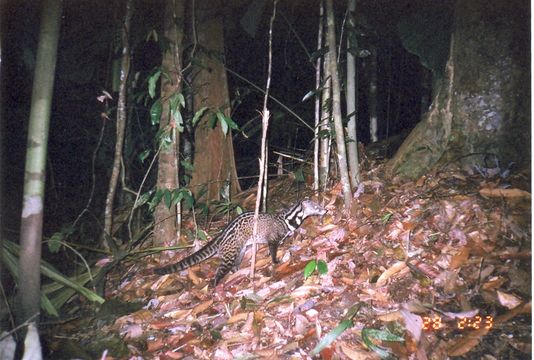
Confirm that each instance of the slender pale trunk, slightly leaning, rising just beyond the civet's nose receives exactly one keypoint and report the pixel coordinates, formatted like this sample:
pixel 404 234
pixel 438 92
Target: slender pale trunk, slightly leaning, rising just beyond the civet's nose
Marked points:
pixel 336 108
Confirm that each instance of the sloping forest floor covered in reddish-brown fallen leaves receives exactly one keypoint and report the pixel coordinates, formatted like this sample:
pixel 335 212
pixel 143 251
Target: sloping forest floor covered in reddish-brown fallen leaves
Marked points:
pixel 431 269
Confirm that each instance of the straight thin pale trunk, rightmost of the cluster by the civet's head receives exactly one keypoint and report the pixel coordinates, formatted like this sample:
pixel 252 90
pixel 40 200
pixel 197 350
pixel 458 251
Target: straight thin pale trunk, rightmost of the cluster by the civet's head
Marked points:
pixel 352 105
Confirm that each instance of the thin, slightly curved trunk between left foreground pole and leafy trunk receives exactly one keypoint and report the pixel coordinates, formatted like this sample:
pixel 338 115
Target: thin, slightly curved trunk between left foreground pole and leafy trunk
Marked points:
pixel 108 241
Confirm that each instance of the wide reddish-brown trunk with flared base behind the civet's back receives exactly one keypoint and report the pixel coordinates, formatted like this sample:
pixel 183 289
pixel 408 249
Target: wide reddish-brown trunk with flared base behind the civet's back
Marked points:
pixel 214 161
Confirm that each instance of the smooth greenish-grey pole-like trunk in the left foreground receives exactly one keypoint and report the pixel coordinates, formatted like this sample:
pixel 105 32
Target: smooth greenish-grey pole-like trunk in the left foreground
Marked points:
pixel 34 175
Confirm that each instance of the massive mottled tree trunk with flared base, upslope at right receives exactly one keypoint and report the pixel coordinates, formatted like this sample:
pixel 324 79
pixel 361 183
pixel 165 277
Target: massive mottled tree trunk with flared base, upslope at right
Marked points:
pixel 482 106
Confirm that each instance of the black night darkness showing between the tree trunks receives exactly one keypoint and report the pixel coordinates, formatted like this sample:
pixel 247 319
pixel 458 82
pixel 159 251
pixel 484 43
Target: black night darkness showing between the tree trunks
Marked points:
pixel 90 29
